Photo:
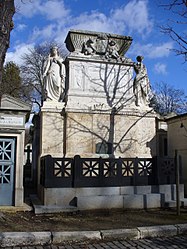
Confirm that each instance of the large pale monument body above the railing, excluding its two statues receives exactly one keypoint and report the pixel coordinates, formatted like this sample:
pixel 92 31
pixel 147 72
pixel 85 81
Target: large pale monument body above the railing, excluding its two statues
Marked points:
pixel 99 115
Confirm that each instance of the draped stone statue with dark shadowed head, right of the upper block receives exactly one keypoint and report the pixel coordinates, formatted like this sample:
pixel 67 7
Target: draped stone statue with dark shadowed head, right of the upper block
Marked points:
pixel 141 85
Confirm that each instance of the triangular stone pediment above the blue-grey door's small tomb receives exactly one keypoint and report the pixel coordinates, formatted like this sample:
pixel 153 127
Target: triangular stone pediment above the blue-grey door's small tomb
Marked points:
pixel 8 102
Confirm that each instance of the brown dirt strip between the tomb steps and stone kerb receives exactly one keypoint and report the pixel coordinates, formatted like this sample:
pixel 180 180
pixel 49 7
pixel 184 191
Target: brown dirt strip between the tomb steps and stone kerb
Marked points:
pixel 97 220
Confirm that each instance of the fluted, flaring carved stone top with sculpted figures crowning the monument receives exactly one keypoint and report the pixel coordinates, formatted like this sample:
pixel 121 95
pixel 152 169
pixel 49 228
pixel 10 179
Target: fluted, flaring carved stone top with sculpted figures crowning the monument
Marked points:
pixel 106 45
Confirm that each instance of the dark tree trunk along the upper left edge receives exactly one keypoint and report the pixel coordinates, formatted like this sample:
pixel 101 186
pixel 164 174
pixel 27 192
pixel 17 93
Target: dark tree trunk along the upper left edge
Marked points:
pixel 7 10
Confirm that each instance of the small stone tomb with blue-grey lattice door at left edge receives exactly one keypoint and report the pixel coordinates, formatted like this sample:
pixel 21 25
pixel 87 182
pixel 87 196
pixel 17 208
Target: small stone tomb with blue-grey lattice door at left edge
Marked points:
pixel 14 114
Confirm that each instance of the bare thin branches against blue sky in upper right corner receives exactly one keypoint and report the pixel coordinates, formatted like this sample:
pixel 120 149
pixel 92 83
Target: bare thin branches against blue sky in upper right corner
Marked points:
pixel 179 9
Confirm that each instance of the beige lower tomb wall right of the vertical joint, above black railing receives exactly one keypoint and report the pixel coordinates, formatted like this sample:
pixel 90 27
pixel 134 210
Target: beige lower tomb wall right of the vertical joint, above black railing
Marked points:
pixel 134 134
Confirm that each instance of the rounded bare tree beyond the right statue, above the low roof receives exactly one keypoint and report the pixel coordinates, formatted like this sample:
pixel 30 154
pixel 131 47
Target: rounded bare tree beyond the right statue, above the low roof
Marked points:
pixel 168 99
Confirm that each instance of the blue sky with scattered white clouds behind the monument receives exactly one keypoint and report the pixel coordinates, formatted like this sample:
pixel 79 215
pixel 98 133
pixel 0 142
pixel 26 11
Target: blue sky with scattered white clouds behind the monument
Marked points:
pixel 38 21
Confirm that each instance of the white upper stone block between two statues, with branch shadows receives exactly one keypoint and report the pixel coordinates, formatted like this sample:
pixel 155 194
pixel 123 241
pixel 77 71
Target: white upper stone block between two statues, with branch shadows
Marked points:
pixel 94 84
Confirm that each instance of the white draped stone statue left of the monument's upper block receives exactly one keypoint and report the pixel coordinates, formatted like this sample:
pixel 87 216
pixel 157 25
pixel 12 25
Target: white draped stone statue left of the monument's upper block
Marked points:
pixel 54 76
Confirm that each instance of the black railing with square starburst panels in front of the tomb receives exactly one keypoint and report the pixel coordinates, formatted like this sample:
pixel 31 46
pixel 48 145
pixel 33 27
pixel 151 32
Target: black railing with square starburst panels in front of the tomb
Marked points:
pixel 105 172
